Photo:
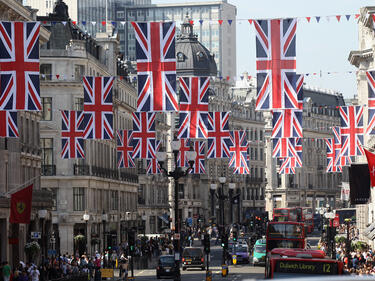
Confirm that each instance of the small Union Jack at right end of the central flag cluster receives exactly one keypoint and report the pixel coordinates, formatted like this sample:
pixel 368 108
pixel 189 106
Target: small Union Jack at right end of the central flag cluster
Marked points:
pixel 238 152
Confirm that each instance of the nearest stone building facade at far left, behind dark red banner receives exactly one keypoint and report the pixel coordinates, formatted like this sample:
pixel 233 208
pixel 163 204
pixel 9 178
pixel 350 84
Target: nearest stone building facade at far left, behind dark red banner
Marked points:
pixel 20 165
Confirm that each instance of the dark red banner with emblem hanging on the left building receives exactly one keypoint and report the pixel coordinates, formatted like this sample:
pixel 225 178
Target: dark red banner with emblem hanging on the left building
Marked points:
pixel 20 205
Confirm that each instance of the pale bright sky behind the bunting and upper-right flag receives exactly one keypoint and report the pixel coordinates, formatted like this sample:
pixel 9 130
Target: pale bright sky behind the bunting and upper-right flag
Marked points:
pixel 321 47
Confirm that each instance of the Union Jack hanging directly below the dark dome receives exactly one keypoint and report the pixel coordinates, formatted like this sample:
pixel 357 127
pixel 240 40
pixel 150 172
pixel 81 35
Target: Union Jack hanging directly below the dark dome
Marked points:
pixel 193 107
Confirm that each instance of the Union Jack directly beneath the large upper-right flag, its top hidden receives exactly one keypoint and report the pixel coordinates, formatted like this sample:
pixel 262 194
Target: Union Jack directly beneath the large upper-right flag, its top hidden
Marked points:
pixel 287 123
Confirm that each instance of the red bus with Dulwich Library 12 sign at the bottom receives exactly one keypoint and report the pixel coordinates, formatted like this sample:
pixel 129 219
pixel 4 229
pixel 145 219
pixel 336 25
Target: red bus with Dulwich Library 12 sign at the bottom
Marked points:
pixel 289 263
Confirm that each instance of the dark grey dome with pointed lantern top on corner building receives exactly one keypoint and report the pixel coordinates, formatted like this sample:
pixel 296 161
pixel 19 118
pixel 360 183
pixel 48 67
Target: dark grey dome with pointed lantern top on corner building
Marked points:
pixel 193 59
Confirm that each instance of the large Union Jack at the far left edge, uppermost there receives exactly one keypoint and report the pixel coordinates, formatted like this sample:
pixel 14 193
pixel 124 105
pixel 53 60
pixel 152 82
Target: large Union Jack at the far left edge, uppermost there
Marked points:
pixel 19 66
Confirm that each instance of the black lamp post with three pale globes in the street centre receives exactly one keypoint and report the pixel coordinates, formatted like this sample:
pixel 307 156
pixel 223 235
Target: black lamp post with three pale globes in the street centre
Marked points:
pixel 176 174
